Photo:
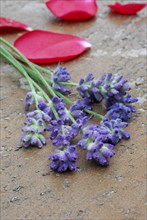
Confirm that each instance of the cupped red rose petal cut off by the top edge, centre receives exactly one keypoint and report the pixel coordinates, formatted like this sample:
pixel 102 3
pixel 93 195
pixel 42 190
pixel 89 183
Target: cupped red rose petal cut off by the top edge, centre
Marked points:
pixel 73 9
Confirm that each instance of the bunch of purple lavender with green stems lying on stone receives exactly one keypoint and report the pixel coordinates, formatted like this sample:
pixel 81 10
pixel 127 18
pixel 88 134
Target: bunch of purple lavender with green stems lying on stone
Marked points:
pixel 64 119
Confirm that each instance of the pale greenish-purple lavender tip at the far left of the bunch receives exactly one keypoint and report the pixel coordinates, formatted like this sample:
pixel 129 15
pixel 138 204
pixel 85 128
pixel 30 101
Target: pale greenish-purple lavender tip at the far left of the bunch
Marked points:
pixel 34 125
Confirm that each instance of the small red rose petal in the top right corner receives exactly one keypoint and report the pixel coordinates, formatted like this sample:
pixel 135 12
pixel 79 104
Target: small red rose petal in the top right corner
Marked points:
pixel 127 9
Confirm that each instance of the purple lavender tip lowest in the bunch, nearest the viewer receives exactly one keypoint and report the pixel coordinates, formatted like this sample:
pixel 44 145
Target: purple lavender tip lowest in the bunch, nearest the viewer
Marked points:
pixel 64 159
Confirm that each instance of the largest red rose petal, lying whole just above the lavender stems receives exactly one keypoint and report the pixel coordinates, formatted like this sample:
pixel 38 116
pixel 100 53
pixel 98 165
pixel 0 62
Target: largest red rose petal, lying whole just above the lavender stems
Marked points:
pixel 49 47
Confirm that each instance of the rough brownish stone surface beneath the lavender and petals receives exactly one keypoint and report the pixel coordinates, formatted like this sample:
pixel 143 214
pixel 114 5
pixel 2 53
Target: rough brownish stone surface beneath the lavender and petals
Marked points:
pixel 29 190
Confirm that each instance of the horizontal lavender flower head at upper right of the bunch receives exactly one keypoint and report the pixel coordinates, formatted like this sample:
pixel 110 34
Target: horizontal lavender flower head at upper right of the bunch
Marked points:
pixel 104 88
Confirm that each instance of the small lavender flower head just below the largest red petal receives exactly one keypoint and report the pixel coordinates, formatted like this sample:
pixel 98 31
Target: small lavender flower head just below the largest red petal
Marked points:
pixel 61 75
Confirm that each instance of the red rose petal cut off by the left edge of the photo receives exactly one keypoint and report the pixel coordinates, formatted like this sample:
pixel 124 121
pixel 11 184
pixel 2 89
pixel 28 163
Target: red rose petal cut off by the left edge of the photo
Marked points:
pixel 7 24
